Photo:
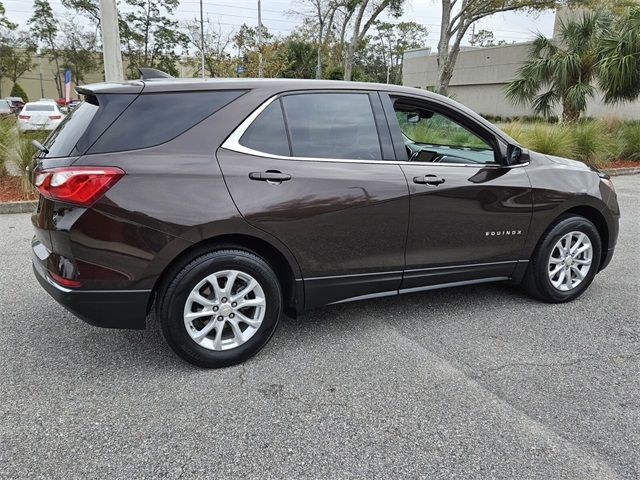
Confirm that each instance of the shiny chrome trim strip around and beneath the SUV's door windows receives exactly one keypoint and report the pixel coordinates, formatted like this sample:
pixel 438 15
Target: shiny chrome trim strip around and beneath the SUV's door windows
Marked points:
pixel 233 143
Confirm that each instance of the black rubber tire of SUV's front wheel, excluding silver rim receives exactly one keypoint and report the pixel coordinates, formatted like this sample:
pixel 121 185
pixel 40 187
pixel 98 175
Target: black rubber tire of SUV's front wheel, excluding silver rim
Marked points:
pixel 536 281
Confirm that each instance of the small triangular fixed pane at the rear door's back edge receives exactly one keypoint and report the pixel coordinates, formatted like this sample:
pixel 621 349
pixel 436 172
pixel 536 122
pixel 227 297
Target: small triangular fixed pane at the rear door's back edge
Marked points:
pixel 267 133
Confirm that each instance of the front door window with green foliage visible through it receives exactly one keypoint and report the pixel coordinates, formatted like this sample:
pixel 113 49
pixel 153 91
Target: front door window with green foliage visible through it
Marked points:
pixel 433 137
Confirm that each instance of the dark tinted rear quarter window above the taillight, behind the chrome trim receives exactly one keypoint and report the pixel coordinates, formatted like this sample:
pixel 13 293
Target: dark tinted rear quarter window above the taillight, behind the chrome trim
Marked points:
pixel 156 118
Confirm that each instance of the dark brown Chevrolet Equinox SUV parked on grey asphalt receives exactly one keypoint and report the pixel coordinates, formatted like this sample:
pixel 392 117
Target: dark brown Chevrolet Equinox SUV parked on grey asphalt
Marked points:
pixel 226 202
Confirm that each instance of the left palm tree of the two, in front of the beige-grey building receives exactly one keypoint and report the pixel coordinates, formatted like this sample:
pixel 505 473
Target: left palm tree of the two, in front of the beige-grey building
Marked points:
pixel 561 71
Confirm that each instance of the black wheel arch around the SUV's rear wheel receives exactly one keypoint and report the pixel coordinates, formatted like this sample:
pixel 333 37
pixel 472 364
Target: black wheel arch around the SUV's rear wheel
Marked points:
pixel 291 288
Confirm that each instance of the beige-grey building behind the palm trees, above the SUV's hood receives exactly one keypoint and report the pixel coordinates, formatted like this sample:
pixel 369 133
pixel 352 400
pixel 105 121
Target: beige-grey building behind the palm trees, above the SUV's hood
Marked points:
pixel 482 74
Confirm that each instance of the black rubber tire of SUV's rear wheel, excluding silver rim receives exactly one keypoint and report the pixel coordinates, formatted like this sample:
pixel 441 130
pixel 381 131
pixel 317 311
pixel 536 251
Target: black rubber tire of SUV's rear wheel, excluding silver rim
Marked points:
pixel 175 291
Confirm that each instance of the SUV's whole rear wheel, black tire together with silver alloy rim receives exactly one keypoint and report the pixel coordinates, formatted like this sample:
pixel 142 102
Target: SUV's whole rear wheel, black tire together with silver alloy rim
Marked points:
pixel 187 298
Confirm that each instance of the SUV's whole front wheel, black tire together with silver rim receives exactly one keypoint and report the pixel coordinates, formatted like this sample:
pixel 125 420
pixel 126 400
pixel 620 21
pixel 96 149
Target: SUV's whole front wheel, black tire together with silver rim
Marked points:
pixel 538 282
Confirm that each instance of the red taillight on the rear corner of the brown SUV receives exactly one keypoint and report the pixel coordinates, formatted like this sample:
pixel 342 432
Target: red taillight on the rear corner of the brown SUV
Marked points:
pixel 78 185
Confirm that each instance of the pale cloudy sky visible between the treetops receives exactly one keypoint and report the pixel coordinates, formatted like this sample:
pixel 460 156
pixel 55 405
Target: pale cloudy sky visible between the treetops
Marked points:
pixel 277 17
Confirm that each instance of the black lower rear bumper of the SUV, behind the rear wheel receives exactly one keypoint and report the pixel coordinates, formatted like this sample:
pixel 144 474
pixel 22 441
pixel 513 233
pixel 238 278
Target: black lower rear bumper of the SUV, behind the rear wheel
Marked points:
pixel 101 308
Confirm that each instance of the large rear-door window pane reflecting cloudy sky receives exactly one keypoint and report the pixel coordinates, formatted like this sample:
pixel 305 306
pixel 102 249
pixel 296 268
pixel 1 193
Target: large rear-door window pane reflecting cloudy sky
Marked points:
pixel 332 125
